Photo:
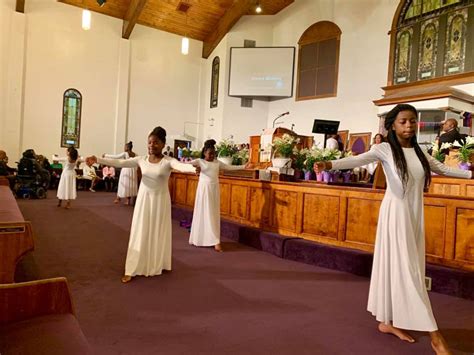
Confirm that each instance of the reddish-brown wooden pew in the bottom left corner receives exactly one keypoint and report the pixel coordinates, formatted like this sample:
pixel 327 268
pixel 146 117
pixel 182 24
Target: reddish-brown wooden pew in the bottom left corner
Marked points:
pixel 37 317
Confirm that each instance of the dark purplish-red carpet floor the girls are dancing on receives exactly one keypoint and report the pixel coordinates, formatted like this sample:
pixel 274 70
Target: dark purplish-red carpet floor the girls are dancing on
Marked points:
pixel 242 301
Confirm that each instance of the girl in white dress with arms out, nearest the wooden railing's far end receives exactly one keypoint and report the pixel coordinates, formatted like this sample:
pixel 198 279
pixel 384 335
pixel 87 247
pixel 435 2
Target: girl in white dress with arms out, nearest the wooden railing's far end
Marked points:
pixel 206 226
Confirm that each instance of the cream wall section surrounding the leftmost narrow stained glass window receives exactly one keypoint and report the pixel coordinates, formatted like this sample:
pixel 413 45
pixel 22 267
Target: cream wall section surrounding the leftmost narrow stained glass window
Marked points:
pixel 60 55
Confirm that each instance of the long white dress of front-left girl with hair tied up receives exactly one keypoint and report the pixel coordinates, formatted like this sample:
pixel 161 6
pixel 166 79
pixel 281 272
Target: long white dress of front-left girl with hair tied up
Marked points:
pixel 149 247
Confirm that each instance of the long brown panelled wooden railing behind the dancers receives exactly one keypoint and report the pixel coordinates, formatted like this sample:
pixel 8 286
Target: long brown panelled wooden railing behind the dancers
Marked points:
pixel 335 215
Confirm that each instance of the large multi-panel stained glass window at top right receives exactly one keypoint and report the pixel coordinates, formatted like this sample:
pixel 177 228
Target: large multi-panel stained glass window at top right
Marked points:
pixel 430 39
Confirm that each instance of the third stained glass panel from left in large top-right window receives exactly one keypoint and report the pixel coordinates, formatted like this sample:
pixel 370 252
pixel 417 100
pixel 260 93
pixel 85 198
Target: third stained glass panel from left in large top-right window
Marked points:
pixel 455 42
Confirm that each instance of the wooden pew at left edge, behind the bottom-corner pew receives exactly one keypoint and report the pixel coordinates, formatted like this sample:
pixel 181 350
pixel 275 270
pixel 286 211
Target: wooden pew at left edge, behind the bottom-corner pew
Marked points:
pixel 16 235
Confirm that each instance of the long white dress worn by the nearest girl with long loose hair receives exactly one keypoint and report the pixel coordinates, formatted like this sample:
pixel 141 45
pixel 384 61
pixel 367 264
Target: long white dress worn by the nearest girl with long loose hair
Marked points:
pixel 397 285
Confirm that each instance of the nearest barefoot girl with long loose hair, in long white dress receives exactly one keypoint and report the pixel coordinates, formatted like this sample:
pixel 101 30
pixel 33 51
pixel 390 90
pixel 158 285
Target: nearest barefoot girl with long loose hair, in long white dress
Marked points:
pixel 398 296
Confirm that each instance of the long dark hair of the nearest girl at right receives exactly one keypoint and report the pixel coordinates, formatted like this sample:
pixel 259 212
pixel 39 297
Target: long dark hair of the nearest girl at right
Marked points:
pixel 397 151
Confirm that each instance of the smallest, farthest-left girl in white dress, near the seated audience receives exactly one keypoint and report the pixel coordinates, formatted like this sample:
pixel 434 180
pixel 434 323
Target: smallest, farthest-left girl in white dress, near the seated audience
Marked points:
pixel 67 182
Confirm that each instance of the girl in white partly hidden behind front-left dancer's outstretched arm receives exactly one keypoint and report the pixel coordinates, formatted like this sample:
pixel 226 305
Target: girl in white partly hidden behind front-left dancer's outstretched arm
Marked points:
pixel 128 182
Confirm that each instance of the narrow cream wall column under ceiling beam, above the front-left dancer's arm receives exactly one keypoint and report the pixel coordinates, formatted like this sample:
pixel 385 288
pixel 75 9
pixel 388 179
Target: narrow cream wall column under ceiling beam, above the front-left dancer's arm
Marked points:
pixel 123 95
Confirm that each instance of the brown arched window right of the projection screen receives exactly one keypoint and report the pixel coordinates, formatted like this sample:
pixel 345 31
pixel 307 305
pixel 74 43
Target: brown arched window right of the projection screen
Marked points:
pixel 318 61
